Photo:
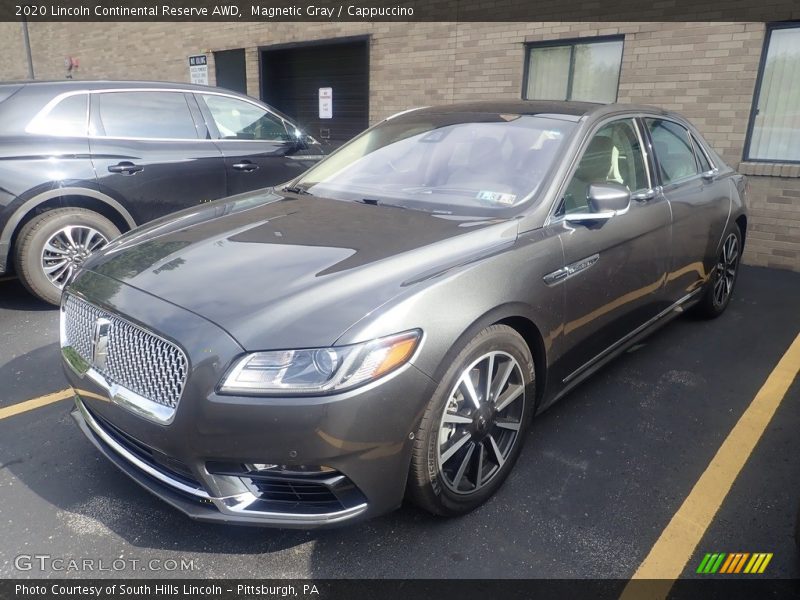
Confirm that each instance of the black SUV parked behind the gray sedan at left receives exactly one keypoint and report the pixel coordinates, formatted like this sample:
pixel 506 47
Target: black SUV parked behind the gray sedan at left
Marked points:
pixel 81 162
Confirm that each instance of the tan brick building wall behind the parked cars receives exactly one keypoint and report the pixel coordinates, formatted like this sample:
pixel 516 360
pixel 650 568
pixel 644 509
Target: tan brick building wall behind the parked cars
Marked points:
pixel 706 71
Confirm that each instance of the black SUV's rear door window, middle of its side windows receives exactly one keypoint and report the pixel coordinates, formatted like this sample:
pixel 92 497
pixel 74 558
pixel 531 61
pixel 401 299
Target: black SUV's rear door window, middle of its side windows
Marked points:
pixel 146 115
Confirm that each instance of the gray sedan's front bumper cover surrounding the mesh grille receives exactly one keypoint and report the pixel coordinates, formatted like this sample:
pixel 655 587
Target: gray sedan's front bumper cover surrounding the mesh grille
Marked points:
pixel 335 458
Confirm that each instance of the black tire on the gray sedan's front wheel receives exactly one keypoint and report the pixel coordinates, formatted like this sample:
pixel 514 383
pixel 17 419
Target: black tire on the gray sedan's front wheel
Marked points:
pixel 429 485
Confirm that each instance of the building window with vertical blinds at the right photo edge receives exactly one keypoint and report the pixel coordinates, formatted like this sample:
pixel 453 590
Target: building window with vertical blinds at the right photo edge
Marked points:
pixel 775 122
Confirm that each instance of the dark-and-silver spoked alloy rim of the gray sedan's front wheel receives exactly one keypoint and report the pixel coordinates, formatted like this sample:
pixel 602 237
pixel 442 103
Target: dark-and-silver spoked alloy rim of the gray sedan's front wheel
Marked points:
pixel 481 422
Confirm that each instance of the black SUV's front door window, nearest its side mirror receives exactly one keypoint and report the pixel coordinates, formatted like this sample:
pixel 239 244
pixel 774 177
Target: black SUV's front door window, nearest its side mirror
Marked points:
pixel 239 120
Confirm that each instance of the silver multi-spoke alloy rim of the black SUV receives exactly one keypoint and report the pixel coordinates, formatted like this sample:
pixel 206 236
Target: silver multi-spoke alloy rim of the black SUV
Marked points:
pixel 66 249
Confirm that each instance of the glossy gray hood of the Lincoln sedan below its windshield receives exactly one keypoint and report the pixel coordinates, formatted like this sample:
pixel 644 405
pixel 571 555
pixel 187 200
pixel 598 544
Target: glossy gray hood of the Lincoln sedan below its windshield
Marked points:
pixel 277 271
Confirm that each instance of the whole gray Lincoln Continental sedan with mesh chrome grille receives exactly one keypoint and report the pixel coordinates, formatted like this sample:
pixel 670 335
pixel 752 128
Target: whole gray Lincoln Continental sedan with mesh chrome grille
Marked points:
pixel 387 325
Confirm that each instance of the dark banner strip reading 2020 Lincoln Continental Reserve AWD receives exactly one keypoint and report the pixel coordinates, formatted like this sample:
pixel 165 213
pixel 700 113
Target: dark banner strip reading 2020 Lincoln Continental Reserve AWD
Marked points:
pixel 400 10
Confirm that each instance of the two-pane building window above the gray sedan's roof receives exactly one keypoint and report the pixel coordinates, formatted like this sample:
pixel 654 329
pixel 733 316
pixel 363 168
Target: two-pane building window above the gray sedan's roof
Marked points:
pixel 576 70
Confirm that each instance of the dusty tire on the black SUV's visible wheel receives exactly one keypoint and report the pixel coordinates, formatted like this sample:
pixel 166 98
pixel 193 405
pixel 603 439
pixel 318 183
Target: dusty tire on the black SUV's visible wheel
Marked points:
pixel 36 233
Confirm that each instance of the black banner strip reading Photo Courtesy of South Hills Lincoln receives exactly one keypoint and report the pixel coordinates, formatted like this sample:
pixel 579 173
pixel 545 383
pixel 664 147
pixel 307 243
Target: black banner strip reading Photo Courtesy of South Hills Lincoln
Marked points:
pixel 710 588
